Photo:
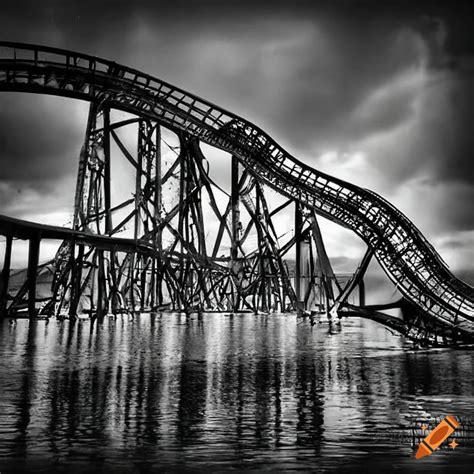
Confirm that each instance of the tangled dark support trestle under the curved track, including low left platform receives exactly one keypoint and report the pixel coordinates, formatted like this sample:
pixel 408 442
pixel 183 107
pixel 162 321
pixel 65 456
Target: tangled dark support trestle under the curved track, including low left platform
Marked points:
pixel 168 260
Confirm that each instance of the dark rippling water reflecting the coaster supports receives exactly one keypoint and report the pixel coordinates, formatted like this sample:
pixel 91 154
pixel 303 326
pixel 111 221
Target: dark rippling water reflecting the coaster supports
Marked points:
pixel 170 393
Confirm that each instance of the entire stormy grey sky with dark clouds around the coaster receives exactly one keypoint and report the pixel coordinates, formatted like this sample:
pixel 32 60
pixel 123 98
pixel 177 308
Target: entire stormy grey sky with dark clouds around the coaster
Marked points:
pixel 378 96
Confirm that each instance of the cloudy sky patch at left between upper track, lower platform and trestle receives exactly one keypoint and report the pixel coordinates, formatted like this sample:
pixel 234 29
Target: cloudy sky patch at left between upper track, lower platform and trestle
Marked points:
pixel 40 140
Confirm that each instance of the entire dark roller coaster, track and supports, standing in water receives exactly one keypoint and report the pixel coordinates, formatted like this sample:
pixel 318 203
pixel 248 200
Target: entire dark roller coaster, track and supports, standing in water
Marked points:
pixel 167 262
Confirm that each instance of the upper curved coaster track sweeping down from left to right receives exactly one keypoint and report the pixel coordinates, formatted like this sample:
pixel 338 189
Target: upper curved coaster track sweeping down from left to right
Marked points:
pixel 406 256
